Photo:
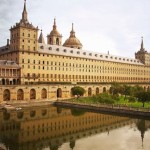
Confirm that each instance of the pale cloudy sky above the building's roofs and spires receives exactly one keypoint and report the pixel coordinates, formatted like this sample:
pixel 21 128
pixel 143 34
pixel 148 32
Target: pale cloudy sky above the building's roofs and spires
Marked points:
pixel 101 25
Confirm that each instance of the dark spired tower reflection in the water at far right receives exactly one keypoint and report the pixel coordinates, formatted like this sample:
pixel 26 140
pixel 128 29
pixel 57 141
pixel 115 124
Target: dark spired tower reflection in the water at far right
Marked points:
pixel 142 128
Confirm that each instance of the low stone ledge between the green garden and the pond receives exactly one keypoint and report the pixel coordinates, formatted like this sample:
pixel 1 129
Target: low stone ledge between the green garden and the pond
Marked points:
pixel 120 110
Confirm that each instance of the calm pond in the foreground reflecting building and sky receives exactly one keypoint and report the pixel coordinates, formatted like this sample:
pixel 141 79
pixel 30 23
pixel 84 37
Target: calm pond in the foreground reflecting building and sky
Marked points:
pixel 55 128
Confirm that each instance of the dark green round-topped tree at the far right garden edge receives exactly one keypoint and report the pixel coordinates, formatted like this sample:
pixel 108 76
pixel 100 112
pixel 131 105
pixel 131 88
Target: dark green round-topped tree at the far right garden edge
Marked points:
pixel 143 97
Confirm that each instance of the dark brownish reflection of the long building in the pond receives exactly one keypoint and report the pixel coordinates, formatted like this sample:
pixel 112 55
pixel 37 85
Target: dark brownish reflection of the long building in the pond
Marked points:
pixel 49 127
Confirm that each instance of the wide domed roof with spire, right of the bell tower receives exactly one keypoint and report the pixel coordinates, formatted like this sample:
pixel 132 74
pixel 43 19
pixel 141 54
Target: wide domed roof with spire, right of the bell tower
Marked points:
pixel 72 41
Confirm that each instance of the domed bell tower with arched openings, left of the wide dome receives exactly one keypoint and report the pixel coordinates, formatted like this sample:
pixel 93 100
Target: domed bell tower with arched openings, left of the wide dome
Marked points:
pixel 54 38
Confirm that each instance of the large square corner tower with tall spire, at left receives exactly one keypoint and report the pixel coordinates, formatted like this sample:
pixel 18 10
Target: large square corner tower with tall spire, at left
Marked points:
pixel 23 35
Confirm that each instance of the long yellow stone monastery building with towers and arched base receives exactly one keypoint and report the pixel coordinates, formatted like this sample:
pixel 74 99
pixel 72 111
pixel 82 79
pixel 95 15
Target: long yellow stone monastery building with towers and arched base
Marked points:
pixel 44 66
